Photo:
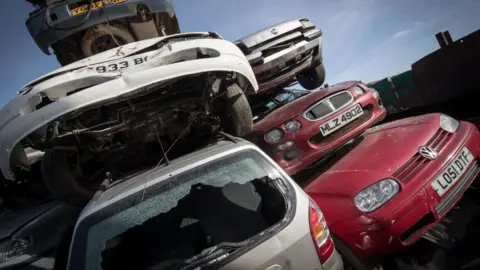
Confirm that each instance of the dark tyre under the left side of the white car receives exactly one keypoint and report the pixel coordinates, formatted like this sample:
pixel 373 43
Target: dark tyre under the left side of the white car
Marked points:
pixel 60 179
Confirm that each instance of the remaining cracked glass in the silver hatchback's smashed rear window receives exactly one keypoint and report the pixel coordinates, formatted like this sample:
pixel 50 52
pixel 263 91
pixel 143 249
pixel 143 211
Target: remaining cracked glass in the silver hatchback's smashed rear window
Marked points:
pixel 99 230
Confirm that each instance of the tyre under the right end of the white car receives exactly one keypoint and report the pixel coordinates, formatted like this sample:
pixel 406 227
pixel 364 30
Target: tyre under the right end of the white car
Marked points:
pixel 238 120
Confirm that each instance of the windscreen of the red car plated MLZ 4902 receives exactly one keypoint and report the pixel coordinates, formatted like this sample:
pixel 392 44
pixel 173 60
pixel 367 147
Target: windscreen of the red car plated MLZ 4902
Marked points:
pixel 262 106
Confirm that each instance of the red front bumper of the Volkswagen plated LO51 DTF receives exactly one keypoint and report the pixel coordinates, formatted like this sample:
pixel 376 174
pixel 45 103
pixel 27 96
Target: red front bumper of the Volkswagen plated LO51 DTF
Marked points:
pixel 412 218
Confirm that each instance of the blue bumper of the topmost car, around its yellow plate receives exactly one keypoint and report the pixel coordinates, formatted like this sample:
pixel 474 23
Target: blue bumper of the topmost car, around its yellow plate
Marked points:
pixel 45 36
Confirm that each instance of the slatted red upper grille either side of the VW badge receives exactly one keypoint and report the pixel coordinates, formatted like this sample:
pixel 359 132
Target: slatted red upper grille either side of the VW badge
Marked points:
pixel 417 162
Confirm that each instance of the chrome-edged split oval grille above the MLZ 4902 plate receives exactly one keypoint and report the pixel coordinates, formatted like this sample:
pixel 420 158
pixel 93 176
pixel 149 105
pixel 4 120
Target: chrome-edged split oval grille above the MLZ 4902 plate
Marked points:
pixel 328 106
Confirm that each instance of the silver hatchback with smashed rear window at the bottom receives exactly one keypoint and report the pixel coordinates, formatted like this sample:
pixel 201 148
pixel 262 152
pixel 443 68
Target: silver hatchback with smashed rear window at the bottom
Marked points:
pixel 225 206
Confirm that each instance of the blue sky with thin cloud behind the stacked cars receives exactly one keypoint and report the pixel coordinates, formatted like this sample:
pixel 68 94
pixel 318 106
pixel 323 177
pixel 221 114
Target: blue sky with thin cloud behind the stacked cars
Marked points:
pixel 363 39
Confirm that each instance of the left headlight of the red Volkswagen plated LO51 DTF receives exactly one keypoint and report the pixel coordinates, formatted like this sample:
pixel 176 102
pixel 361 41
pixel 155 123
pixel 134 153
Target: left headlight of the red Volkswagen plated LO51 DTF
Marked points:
pixel 374 196
